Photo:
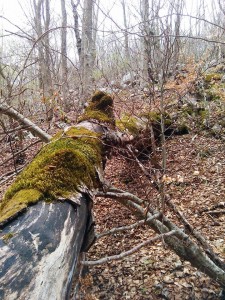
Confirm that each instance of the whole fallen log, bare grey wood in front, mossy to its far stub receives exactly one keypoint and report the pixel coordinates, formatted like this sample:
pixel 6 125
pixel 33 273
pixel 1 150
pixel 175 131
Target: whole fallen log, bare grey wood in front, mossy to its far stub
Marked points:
pixel 45 216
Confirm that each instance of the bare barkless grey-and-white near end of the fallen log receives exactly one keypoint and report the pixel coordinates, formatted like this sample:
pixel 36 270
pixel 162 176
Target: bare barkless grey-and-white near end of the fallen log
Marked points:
pixel 39 259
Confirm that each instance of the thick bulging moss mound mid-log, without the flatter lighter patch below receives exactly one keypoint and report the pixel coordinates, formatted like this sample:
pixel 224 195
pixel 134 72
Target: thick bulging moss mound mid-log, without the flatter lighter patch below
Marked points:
pixel 62 165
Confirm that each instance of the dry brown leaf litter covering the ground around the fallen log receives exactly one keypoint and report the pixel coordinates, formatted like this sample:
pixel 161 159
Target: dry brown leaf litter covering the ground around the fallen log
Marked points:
pixel 195 182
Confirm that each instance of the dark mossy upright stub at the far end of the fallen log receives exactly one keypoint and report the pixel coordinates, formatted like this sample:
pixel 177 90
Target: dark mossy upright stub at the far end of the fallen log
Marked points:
pixel 99 108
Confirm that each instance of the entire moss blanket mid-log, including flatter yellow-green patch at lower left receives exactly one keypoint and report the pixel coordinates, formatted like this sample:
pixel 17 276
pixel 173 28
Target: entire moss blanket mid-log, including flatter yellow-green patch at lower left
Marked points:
pixel 60 169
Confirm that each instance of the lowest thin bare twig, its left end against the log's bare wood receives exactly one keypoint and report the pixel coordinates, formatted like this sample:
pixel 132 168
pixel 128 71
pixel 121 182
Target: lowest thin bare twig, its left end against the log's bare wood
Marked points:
pixel 129 252
